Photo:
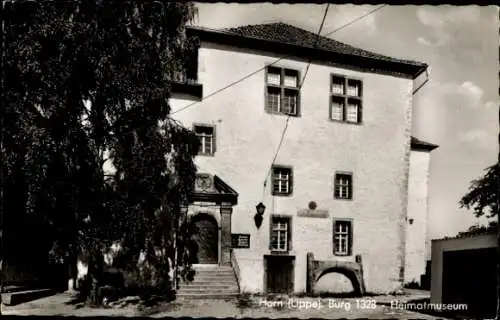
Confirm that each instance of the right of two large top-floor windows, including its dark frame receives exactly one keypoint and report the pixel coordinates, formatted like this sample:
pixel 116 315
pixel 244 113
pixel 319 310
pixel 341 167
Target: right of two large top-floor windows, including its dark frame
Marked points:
pixel 346 99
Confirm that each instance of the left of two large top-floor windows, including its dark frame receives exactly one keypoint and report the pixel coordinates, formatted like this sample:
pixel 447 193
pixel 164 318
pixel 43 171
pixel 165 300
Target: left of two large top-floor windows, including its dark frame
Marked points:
pixel 282 91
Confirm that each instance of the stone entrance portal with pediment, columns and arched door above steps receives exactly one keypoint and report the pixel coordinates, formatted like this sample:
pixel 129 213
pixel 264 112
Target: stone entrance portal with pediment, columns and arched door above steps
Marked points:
pixel 209 214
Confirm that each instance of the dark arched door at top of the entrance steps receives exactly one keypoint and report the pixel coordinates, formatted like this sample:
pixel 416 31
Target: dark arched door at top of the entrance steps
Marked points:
pixel 205 239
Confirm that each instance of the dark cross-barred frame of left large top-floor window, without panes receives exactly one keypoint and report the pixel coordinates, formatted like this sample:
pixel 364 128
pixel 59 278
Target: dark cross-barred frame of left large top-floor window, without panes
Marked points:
pixel 282 88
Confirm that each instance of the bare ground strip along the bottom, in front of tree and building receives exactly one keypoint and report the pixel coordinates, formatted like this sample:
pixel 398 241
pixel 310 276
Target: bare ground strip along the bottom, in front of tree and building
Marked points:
pixel 59 305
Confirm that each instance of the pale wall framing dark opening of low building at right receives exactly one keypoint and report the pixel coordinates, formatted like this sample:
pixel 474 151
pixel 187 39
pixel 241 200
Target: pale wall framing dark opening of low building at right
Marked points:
pixel 442 245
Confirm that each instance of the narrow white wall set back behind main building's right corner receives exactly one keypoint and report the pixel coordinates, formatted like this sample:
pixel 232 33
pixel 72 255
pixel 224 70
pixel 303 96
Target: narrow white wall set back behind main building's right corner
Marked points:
pixel 416 233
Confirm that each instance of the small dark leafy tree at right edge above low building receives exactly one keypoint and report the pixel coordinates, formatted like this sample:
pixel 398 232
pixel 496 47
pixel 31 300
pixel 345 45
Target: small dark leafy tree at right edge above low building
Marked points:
pixel 484 199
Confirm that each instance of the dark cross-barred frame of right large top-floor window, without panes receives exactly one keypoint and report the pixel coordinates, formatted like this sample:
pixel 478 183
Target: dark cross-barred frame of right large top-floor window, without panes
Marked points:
pixel 346 98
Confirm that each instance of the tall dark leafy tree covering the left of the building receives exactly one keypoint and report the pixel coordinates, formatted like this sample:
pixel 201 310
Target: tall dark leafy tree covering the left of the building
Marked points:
pixel 86 84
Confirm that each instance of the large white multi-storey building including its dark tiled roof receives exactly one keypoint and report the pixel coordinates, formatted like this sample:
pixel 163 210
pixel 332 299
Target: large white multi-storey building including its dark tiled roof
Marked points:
pixel 338 195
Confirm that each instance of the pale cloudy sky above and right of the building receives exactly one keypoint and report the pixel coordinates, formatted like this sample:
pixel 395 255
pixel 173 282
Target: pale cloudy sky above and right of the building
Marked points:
pixel 457 109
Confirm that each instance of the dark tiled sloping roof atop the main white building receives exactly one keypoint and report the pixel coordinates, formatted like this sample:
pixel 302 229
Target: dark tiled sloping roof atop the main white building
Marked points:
pixel 275 34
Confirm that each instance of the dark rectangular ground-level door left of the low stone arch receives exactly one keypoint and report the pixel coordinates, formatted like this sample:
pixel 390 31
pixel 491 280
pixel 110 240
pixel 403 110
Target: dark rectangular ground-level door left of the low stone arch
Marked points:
pixel 279 274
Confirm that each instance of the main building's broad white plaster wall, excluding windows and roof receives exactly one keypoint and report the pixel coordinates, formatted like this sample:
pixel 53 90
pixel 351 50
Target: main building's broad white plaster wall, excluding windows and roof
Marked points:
pixel 377 152
